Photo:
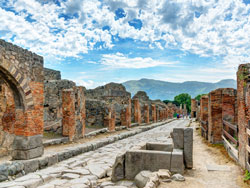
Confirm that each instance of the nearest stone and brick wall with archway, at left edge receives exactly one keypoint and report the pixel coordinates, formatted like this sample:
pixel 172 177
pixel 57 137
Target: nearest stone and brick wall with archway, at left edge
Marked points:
pixel 21 81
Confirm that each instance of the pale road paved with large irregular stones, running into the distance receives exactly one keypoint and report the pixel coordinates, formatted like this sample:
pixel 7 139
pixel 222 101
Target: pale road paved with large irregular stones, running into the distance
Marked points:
pixel 93 169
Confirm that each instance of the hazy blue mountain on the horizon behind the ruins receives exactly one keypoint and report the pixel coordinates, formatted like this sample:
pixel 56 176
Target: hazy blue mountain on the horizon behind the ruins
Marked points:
pixel 157 89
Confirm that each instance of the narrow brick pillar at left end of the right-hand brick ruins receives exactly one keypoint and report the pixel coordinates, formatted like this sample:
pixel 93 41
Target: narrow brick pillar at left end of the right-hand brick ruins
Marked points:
pixel 204 116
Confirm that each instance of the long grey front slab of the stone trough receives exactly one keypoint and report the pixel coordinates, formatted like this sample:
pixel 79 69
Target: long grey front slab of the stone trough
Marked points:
pixel 139 160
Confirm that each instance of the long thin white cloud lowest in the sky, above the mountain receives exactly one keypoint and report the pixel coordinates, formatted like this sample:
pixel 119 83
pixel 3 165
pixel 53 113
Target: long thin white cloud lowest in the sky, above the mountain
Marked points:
pixel 119 60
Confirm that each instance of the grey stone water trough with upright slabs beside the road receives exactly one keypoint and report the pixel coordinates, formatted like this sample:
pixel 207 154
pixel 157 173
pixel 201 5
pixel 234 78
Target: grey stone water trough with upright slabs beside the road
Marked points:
pixel 175 155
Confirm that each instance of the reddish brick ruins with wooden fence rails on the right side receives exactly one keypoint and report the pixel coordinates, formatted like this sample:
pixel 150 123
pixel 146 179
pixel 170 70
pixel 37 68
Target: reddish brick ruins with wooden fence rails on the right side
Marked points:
pixel 224 117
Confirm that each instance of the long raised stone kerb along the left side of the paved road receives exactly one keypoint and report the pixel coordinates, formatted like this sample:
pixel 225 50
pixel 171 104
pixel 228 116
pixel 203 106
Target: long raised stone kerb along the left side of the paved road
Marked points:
pixel 14 169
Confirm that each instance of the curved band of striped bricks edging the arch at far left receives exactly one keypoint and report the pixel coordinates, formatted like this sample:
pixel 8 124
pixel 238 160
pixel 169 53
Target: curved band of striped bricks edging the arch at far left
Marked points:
pixel 18 83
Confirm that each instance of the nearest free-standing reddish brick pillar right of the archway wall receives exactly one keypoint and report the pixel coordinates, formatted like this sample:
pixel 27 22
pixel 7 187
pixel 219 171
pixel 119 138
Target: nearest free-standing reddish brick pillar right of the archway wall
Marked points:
pixel 68 111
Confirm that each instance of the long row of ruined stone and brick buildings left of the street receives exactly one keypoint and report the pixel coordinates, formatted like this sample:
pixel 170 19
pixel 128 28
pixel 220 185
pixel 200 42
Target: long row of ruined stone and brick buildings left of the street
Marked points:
pixel 35 101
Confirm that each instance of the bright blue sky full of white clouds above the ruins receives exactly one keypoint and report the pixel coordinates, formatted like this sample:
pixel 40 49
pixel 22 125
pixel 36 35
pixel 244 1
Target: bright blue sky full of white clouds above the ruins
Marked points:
pixel 94 42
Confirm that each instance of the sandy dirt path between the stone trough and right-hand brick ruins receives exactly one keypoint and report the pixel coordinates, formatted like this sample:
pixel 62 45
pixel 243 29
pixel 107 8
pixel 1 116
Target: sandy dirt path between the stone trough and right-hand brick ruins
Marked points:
pixel 199 177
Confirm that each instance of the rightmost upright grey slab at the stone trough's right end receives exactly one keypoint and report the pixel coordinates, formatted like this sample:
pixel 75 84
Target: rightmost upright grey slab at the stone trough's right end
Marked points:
pixel 188 147
